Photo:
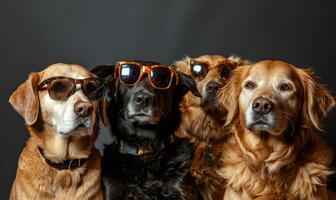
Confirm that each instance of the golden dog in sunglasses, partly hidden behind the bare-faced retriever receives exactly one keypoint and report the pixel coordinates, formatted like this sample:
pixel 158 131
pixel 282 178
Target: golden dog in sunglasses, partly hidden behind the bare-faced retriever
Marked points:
pixel 204 116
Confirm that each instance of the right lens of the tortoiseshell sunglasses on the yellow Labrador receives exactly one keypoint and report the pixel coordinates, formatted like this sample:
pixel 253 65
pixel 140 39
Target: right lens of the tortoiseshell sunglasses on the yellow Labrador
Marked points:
pixel 94 89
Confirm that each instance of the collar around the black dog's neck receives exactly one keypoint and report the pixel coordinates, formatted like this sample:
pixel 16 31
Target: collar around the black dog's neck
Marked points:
pixel 125 148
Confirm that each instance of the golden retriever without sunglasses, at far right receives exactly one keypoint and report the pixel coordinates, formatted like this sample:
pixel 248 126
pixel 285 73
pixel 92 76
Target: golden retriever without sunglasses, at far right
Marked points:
pixel 274 110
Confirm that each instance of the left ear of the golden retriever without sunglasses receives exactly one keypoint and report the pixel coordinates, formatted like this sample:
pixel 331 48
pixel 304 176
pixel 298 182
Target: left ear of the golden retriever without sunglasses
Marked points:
pixel 230 94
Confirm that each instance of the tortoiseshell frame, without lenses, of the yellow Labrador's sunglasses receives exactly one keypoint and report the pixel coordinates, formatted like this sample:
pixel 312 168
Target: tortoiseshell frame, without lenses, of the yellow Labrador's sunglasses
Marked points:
pixel 81 82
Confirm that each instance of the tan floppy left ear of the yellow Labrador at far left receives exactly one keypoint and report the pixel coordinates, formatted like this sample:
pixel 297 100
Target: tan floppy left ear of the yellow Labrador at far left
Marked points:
pixel 25 99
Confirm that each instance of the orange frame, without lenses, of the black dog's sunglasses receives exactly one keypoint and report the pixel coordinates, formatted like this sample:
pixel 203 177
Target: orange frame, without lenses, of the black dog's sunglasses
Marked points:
pixel 144 69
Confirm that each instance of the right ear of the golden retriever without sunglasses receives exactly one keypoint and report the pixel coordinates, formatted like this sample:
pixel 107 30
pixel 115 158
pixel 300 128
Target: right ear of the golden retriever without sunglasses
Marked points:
pixel 317 99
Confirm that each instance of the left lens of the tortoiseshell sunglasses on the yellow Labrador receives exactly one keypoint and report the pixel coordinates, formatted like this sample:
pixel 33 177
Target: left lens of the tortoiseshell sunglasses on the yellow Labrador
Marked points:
pixel 61 89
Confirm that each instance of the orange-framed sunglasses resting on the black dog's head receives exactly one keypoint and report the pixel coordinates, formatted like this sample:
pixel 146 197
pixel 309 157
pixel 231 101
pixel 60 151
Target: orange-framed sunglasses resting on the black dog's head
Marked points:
pixel 159 76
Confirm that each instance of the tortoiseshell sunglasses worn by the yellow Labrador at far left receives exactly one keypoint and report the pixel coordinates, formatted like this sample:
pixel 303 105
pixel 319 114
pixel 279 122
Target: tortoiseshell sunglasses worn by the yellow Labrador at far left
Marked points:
pixel 60 88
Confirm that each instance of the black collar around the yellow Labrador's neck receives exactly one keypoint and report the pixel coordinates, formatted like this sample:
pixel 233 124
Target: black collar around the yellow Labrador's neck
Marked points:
pixel 64 165
